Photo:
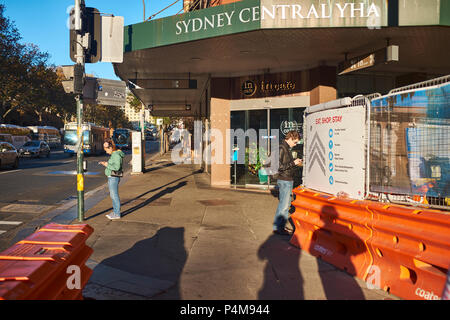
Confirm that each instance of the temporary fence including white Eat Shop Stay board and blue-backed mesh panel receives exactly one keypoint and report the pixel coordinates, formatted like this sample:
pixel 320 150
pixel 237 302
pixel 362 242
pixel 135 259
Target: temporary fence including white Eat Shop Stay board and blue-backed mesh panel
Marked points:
pixel 406 146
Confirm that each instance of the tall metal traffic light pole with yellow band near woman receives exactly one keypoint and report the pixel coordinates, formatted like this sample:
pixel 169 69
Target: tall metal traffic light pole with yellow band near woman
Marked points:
pixel 79 98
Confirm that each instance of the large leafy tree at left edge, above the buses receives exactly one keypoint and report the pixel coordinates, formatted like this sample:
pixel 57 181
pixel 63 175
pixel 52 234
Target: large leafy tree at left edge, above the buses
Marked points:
pixel 30 91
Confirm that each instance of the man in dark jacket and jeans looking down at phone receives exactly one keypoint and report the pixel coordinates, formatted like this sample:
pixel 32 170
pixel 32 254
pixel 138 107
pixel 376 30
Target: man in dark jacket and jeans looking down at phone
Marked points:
pixel 285 181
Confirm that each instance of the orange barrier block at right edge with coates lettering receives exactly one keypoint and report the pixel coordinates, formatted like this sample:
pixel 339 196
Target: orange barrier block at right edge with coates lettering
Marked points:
pixel 411 247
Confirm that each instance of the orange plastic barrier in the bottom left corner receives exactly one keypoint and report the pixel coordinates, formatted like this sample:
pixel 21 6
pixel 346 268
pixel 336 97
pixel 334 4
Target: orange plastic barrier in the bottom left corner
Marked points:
pixel 41 266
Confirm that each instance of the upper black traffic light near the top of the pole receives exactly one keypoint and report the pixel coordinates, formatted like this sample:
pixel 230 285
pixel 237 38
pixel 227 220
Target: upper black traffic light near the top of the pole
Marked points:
pixel 91 33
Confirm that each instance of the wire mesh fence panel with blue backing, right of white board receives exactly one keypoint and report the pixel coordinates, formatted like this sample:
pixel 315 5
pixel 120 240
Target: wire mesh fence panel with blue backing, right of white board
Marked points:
pixel 410 144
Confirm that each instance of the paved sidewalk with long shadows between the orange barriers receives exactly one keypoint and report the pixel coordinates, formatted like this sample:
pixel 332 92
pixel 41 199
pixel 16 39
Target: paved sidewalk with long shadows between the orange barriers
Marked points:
pixel 181 239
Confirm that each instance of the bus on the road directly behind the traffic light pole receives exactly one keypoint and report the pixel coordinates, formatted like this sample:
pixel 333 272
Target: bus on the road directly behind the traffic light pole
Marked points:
pixel 93 138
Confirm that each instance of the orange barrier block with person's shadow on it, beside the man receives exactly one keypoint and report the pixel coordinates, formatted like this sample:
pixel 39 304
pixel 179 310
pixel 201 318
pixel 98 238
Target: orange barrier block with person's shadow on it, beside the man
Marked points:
pixel 333 229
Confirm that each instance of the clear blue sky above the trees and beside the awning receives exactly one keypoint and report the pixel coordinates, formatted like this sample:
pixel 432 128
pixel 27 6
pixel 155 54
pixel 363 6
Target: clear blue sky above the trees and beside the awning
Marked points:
pixel 44 23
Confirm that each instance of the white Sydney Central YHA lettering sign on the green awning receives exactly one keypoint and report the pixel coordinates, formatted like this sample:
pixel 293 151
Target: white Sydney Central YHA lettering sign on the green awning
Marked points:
pixel 277 14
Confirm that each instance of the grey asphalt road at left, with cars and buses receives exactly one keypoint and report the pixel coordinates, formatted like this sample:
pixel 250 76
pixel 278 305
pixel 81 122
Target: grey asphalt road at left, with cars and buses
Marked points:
pixel 41 185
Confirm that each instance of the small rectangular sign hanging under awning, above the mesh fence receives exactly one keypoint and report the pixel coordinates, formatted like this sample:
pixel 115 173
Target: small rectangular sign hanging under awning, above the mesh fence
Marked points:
pixel 384 55
